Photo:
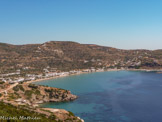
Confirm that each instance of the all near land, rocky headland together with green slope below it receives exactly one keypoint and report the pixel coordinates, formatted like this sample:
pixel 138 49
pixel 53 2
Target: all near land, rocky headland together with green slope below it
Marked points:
pixel 23 101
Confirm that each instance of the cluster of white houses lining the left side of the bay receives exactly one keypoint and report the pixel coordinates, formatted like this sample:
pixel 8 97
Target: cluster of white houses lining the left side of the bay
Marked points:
pixel 47 74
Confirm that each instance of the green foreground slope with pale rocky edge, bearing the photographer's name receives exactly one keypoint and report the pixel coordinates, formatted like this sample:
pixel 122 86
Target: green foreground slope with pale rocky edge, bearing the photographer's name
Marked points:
pixel 10 113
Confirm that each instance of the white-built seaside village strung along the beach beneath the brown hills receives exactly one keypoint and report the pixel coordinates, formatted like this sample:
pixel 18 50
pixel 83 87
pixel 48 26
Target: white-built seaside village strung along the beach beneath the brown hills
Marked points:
pixel 16 77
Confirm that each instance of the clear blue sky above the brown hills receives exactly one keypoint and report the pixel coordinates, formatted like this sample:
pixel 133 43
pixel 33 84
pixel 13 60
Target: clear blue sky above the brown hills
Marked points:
pixel 124 24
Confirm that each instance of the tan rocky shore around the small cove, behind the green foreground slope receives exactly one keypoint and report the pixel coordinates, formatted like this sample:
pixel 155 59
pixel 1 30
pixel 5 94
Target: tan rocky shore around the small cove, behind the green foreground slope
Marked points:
pixel 29 96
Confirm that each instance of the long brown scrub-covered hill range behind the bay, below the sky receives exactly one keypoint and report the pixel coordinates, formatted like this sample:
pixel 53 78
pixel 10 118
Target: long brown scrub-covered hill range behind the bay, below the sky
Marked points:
pixel 71 55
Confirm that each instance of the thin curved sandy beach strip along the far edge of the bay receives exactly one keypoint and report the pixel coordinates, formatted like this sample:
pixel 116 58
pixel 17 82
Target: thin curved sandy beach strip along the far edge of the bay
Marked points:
pixel 109 70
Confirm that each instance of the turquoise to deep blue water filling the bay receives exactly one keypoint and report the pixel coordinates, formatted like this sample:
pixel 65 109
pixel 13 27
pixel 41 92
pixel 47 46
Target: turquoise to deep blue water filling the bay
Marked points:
pixel 118 96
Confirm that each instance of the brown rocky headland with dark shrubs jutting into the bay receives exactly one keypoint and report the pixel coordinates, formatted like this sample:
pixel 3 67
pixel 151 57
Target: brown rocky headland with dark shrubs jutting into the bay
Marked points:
pixel 31 94
